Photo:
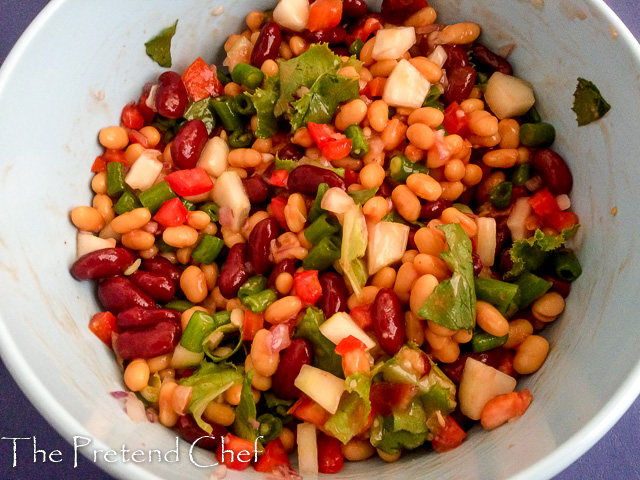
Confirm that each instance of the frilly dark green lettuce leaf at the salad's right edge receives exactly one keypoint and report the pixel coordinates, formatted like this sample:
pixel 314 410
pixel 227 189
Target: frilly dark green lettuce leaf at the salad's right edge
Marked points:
pixel 529 254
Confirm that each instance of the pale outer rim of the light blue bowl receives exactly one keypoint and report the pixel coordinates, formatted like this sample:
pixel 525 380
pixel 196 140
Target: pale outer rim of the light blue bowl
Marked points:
pixel 67 425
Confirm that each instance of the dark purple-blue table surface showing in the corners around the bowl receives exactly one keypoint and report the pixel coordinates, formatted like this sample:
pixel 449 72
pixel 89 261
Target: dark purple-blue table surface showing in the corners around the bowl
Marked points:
pixel 617 455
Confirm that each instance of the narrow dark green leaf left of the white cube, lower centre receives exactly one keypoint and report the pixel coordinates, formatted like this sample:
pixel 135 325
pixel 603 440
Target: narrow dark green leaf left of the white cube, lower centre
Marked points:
pixel 325 356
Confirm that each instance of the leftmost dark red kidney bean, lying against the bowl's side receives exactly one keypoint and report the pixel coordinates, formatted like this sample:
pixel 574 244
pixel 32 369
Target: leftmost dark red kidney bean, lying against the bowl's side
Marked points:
pixel 102 263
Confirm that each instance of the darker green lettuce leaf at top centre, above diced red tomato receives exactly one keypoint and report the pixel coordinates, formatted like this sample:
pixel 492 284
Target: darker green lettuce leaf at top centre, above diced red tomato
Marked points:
pixel 320 103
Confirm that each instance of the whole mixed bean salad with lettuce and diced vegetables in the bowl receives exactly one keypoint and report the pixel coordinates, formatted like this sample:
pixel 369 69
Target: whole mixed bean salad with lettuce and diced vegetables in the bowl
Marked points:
pixel 343 240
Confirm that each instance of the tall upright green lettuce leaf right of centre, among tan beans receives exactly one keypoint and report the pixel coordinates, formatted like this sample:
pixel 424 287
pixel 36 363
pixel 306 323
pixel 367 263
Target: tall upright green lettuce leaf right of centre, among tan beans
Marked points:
pixel 453 302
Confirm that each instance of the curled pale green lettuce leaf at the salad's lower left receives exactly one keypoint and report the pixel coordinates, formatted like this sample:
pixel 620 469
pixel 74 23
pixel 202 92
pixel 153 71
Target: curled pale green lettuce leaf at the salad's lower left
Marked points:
pixel 209 381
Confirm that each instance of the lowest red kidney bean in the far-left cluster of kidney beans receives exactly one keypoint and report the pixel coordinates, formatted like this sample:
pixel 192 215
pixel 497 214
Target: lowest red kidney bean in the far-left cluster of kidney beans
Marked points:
pixel 150 342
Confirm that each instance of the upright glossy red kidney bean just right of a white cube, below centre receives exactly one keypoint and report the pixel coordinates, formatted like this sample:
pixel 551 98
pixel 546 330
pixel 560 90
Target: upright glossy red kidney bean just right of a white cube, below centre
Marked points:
pixel 388 321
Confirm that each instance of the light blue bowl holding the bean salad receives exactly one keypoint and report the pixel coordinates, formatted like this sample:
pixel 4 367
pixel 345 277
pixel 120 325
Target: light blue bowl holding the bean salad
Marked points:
pixel 80 62
